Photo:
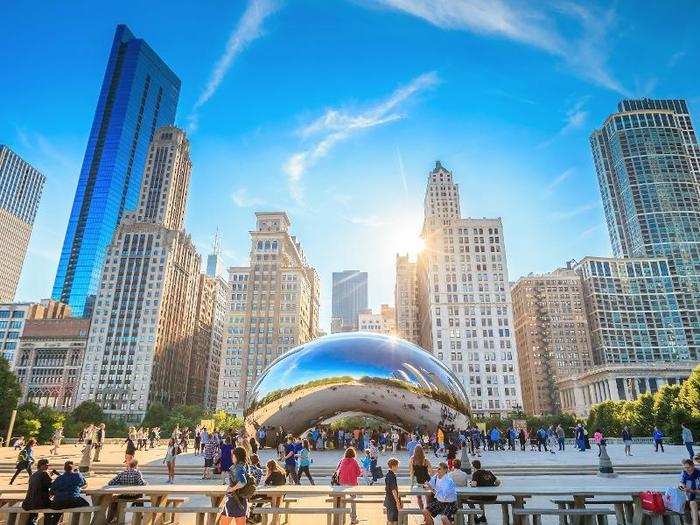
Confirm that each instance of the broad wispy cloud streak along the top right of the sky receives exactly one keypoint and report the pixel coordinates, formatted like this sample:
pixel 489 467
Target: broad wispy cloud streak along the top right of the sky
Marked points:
pixel 536 24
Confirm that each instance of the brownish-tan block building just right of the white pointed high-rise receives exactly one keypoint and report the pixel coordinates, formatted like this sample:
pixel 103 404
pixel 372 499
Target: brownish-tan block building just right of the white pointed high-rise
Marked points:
pixel 552 335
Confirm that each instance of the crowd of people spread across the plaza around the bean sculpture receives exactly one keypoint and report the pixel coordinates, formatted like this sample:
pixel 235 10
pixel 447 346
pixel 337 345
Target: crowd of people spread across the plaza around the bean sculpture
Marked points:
pixel 232 457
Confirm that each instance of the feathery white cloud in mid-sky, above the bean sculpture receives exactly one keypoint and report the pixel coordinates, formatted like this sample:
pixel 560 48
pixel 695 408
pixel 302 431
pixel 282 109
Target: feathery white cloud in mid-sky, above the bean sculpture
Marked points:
pixel 337 125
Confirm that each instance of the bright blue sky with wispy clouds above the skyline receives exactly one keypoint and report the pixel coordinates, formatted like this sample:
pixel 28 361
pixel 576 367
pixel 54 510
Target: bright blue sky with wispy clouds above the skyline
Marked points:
pixel 335 110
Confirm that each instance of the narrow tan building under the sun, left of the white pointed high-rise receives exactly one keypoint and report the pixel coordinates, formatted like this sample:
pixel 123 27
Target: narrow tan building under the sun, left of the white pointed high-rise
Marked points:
pixel 406 299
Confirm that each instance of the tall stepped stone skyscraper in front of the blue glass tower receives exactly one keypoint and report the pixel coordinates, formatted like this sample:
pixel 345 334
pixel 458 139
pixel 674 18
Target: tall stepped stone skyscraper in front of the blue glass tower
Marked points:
pixel 143 322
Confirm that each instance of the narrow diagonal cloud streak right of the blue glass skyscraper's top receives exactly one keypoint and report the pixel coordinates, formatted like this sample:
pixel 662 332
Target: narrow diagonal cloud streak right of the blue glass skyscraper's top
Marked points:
pixel 247 30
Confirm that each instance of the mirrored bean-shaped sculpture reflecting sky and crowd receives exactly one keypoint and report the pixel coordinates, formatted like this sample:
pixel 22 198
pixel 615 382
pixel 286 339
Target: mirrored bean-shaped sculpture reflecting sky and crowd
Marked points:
pixel 357 372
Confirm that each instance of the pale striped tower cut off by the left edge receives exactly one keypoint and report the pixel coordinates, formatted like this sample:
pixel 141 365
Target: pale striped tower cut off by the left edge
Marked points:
pixel 20 191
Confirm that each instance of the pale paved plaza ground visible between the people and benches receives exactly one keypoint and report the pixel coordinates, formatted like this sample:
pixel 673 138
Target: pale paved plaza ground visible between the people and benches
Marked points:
pixel 324 462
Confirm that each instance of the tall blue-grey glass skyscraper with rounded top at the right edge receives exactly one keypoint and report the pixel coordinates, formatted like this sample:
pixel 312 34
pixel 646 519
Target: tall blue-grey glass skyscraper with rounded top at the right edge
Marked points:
pixel 648 163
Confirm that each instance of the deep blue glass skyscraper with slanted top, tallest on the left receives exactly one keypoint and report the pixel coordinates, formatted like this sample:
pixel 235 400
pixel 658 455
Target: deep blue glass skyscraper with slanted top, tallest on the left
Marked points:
pixel 139 94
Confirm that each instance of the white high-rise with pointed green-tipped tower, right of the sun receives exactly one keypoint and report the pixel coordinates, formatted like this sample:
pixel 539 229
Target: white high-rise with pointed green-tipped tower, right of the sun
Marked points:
pixel 465 312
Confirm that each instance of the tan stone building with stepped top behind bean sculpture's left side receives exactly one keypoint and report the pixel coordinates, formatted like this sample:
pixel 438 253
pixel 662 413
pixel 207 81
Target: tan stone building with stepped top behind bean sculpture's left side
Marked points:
pixel 273 307
